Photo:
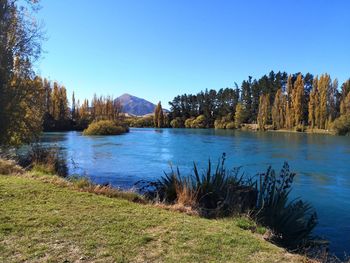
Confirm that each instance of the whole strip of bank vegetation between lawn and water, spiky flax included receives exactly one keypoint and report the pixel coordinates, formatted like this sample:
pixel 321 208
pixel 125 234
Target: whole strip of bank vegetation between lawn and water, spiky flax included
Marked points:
pixel 261 204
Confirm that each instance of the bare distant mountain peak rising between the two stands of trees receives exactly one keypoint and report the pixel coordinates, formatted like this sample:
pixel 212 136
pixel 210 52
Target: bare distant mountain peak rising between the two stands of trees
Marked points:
pixel 135 106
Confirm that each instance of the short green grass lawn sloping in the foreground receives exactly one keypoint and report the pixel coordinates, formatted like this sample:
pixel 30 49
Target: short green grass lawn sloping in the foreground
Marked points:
pixel 44 222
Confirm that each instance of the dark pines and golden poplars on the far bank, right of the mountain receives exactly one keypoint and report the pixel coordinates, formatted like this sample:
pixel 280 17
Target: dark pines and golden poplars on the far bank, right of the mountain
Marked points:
pixel 276 100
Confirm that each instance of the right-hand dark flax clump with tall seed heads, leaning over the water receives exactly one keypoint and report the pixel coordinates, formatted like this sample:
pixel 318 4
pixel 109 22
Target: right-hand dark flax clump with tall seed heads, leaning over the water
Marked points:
pixel 291 222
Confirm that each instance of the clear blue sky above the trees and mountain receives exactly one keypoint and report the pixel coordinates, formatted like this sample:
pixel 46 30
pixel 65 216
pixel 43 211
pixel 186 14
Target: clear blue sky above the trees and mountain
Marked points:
pixel 159 49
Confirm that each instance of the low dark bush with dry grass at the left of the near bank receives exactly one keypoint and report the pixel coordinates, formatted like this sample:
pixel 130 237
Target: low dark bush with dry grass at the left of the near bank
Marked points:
pixel 44 159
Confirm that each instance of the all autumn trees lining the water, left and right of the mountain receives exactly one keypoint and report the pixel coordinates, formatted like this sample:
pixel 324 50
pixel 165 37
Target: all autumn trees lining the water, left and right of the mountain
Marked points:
pixel 30 104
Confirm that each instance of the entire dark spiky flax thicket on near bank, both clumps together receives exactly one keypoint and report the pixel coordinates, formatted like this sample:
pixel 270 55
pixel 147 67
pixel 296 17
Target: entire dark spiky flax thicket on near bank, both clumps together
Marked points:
pixel 221 192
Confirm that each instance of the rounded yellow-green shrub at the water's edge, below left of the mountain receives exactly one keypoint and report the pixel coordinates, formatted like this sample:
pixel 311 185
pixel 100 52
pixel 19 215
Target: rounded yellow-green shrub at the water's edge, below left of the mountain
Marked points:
pixel 105 127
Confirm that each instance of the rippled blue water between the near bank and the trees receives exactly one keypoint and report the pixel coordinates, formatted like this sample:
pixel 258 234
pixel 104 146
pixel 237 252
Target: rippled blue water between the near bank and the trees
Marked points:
pixel 322 163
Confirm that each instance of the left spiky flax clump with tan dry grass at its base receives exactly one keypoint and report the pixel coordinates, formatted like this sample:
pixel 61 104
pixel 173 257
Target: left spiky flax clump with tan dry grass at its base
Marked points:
pixel 213 193
